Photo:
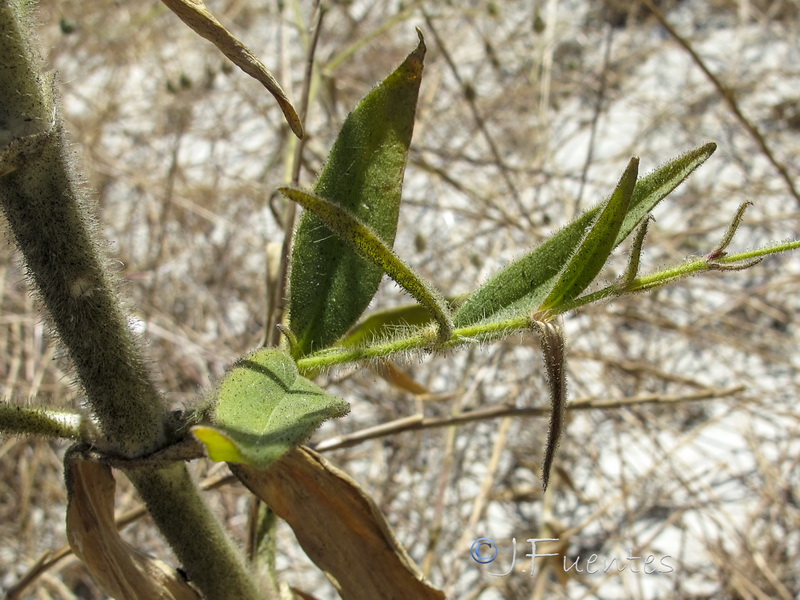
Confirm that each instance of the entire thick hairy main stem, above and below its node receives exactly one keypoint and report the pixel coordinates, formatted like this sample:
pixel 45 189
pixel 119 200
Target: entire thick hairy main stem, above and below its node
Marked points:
pixel 54 227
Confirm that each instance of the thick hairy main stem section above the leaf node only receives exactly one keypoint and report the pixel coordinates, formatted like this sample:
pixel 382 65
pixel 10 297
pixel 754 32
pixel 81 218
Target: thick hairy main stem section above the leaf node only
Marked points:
pixel 52 222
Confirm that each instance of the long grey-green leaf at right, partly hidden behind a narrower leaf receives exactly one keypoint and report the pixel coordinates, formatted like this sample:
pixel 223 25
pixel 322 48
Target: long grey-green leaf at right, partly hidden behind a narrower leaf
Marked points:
pixel 521 287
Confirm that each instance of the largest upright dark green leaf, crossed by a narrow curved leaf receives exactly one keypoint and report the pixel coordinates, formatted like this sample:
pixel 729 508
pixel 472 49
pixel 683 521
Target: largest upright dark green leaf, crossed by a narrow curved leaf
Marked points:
pixel 330 284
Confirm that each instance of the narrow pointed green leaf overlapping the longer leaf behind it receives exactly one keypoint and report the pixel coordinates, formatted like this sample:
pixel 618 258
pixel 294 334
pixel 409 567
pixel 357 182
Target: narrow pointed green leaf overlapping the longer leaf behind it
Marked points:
pixel 595 248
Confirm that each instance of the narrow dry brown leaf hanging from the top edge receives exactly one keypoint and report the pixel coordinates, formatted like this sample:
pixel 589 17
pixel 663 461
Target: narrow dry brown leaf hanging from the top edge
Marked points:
pixel 195 14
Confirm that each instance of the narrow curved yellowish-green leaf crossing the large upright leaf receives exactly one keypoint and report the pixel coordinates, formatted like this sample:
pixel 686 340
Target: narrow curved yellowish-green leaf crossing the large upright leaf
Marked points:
pixel 365 243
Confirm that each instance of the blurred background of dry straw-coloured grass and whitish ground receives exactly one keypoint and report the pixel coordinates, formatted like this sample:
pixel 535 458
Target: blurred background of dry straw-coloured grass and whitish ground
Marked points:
pixel 683 443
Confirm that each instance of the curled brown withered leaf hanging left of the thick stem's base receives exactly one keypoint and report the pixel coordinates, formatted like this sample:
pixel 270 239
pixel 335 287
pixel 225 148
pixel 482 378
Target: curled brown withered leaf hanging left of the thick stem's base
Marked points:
pixel 122 571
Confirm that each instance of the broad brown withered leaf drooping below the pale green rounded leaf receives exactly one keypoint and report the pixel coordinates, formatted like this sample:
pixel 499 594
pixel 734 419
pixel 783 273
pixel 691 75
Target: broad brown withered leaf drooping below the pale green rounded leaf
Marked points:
pixel 339 526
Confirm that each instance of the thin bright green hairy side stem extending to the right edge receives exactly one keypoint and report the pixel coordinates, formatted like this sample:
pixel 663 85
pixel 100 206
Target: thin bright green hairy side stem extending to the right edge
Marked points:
pixel 493 330
